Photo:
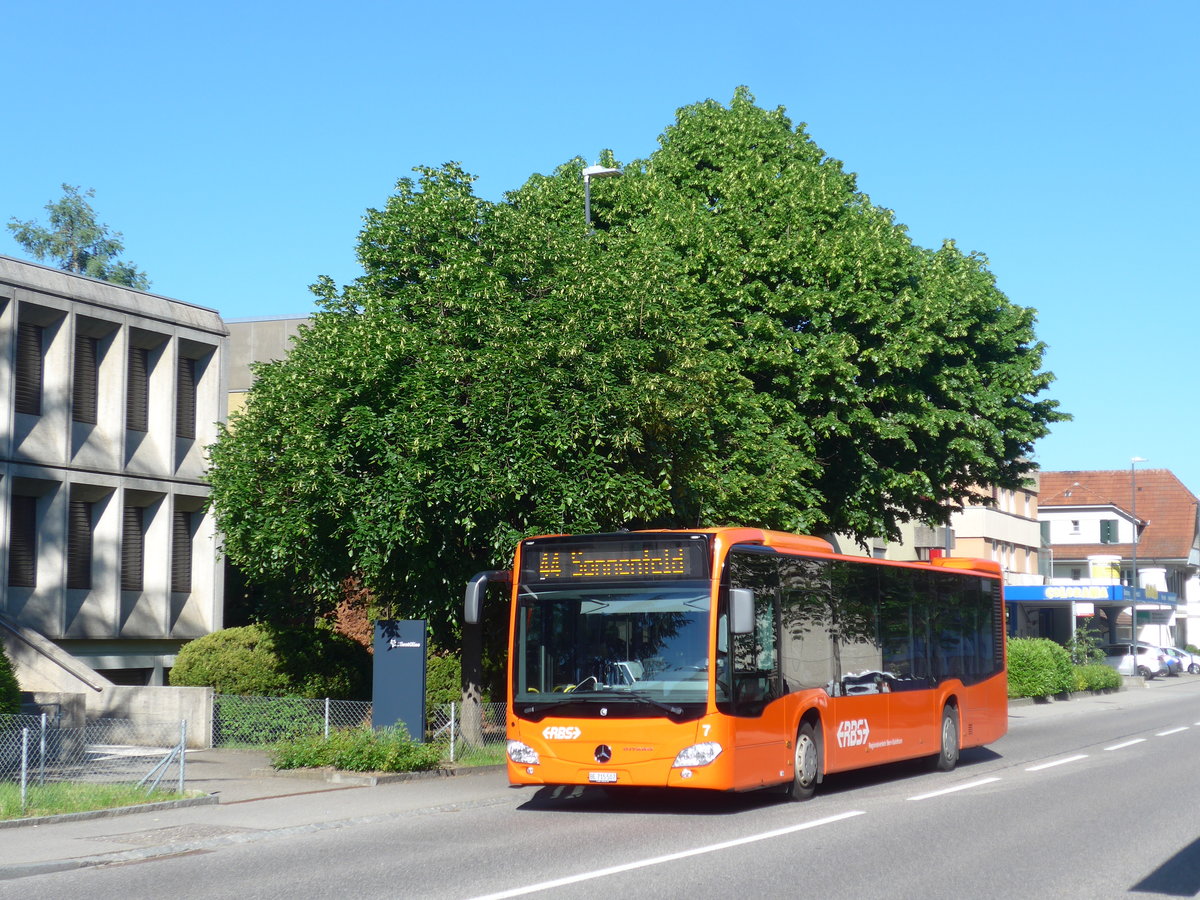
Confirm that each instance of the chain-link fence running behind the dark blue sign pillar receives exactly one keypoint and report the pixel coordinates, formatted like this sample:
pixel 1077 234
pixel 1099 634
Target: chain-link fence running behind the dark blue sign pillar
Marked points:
pixel 262 722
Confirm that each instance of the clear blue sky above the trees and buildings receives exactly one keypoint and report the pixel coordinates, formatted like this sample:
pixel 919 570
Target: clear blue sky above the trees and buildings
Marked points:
pixel 238 145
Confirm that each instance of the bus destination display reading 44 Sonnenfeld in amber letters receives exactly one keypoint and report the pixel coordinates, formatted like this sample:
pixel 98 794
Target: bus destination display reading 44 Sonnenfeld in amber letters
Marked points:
pixel 574 561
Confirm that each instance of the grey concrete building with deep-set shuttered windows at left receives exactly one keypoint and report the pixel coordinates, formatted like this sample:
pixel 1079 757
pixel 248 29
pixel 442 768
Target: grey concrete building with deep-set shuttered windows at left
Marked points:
pixel 109 398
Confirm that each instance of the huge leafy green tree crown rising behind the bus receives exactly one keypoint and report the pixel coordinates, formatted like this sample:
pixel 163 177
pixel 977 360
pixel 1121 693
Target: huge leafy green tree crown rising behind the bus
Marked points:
pixel 742 338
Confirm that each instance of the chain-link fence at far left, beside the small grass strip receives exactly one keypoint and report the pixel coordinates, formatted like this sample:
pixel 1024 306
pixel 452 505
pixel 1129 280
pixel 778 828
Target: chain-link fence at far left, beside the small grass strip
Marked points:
pixel 45 764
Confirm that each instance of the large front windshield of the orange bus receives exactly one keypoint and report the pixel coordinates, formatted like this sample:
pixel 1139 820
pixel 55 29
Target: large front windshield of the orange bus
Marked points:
pixel 644 645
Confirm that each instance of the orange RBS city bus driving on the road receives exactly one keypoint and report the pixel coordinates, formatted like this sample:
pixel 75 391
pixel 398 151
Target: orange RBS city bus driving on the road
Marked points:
pixel 737 659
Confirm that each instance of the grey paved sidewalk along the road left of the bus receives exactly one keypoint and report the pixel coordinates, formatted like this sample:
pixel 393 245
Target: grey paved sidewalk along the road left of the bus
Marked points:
pixel 244 803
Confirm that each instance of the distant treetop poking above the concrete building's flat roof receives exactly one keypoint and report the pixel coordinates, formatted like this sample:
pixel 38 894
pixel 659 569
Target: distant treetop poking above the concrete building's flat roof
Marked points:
pixel 77 243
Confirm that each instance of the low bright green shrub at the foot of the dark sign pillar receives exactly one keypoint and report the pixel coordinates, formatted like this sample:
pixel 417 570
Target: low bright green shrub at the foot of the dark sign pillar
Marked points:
pixel 358 751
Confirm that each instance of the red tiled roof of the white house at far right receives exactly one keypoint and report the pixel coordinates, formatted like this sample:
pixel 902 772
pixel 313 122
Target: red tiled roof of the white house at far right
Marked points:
pixel 1166 507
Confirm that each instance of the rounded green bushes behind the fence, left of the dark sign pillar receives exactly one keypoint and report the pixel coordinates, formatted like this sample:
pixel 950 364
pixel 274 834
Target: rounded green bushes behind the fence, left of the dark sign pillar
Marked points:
pixel 261 661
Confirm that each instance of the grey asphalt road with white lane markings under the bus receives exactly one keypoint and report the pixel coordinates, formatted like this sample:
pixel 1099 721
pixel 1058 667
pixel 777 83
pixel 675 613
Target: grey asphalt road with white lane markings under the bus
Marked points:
pixel 1093 799
